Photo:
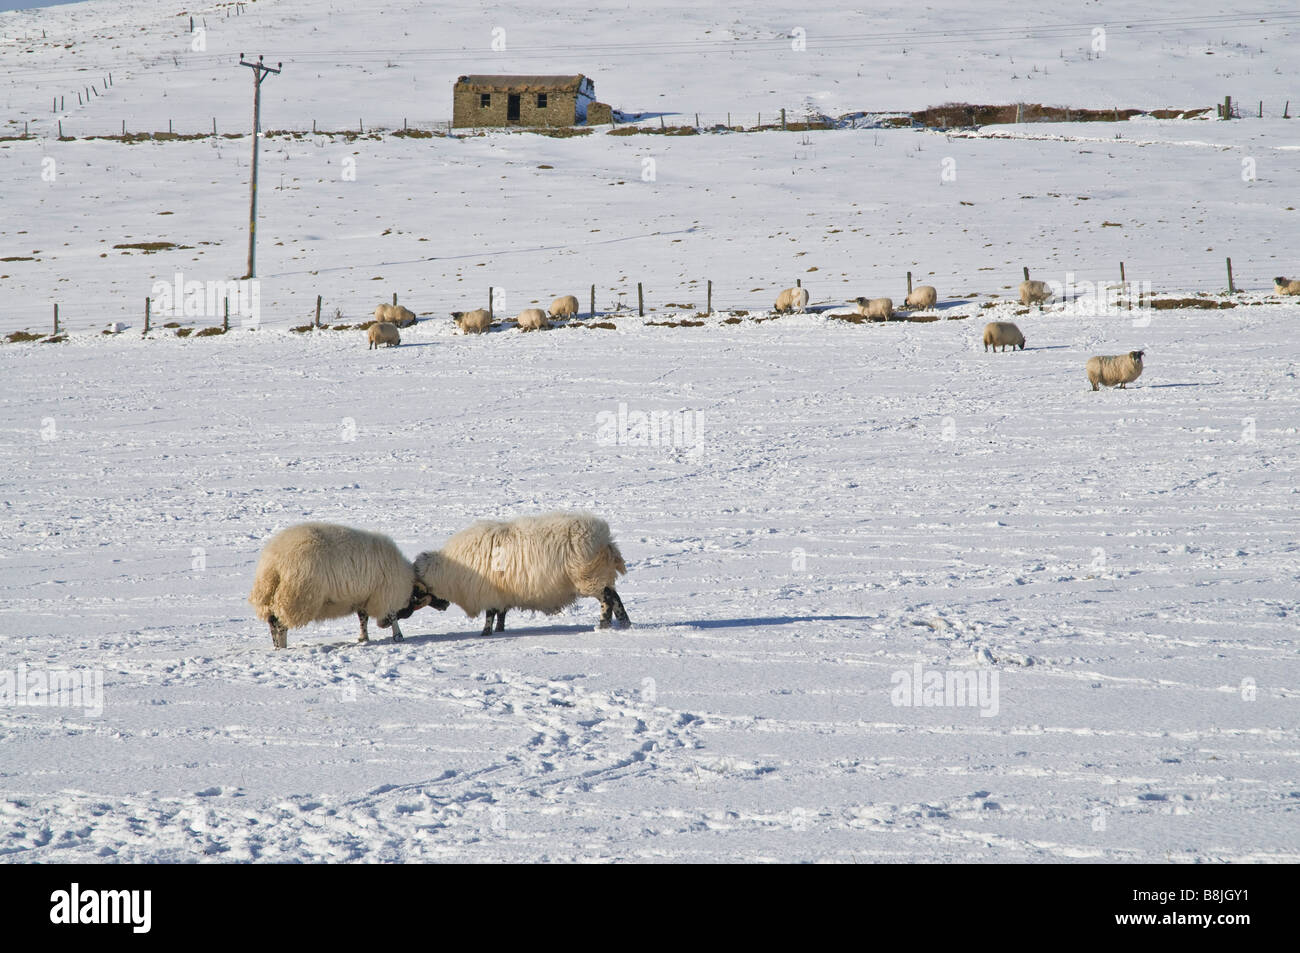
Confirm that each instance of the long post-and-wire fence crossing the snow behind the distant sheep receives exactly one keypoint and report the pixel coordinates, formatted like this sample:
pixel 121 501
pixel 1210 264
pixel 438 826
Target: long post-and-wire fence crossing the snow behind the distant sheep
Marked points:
pixel 284 304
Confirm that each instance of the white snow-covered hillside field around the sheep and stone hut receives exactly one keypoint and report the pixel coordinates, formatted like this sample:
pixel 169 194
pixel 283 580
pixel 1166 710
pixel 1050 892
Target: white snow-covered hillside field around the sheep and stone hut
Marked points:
pixel 859 508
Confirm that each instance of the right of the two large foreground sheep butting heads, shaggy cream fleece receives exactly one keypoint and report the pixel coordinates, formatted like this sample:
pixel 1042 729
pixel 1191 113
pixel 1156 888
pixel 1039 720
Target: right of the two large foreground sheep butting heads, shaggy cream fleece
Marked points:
pixel 543 564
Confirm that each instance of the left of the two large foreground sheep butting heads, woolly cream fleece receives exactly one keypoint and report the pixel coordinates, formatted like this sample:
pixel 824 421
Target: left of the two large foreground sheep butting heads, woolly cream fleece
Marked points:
pixel 323 571
